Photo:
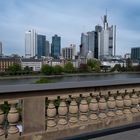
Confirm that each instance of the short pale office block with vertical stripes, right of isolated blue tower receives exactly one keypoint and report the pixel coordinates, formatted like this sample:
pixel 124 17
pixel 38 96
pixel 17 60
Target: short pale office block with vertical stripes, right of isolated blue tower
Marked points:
pixel 69 53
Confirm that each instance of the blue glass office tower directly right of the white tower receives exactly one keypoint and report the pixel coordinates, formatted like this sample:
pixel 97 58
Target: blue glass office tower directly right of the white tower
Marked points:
pixel 41 46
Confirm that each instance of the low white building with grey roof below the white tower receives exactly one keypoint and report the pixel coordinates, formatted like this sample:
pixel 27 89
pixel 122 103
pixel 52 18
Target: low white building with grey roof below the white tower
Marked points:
pixel 34 64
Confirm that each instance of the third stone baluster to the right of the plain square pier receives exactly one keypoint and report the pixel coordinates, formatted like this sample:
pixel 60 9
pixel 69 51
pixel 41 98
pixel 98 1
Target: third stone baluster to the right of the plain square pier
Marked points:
pixel 73 113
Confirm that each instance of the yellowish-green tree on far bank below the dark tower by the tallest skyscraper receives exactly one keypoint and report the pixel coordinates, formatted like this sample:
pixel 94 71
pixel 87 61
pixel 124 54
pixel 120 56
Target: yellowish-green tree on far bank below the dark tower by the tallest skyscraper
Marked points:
pixel 94 64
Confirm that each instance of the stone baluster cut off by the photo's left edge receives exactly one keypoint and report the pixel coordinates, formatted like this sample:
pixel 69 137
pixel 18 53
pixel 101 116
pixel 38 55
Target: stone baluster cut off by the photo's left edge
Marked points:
pixel 1 122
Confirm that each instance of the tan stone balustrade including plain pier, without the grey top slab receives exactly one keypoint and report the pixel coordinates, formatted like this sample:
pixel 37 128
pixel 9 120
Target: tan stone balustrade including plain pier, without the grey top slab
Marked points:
pixel 56 110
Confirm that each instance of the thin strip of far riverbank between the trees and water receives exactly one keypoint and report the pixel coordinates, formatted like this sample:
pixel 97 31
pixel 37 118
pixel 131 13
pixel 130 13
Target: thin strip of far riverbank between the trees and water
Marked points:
pixel 63 75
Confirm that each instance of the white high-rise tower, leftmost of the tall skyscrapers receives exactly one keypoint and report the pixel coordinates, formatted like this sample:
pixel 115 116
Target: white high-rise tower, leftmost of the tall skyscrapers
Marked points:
pixel 30 43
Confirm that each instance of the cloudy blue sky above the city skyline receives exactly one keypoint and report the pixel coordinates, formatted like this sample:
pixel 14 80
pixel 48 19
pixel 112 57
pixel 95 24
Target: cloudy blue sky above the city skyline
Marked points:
pixel 67 18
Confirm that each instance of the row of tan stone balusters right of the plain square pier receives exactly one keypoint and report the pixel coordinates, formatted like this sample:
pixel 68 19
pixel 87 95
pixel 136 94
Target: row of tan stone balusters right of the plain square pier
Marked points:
pixel 87 109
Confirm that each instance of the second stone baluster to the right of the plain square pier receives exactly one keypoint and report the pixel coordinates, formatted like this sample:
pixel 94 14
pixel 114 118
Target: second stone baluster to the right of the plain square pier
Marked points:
pixel 62 114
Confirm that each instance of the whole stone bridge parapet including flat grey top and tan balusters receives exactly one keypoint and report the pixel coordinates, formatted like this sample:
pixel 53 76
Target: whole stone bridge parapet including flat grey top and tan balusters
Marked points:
pixel 69 110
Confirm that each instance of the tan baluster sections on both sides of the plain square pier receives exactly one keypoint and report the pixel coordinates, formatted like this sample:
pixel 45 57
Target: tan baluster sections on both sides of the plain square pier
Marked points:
pixel 75 110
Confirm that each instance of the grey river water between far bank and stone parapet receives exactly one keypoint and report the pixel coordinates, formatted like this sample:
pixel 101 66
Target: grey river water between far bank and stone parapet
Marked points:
pixel 73 78
